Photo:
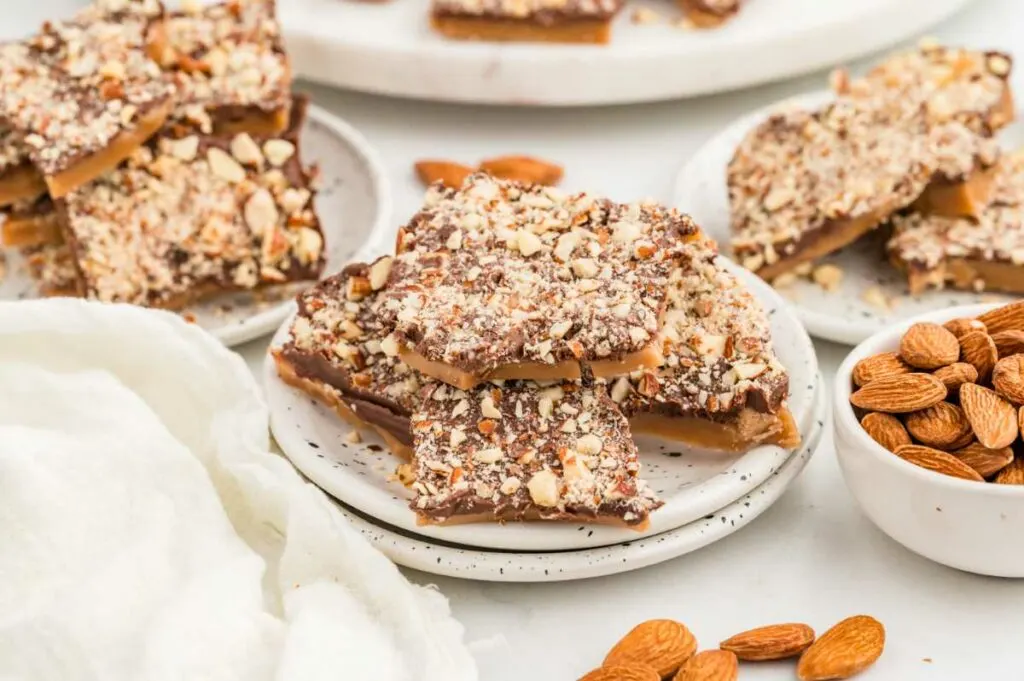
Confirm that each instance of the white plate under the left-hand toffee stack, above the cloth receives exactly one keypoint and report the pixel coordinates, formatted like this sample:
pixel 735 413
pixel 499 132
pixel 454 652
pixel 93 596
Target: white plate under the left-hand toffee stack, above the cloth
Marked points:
pixel 355 206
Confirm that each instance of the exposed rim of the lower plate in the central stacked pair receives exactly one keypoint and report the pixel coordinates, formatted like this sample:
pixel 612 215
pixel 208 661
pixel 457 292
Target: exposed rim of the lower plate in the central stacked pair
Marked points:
pixel 664 546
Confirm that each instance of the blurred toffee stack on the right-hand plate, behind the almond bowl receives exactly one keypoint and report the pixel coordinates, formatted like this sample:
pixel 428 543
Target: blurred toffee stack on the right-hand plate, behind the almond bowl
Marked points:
pixel 909 148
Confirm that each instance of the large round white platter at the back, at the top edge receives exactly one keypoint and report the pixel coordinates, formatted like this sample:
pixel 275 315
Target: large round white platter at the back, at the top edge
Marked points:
pixel 390 49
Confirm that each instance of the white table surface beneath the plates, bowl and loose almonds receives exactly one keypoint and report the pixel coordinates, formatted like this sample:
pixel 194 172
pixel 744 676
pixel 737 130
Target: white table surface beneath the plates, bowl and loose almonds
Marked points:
pixel 812 559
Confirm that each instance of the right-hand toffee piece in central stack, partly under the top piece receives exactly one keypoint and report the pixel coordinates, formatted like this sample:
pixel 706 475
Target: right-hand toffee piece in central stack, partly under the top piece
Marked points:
pixel 721 387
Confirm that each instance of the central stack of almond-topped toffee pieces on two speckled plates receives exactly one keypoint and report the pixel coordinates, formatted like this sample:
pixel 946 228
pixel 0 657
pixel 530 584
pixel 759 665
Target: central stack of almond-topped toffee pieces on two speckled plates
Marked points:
pixel 518 338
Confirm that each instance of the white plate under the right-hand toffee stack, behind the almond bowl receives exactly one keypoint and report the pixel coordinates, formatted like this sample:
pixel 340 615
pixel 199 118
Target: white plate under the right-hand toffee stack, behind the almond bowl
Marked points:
pixel 842 316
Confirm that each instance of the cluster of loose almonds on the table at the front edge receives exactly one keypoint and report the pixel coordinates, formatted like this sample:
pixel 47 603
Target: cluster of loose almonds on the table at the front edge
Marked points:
pixel 666 650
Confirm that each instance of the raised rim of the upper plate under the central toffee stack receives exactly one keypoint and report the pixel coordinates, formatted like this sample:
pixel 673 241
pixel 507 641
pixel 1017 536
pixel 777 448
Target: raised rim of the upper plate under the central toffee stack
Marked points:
pixel 714 492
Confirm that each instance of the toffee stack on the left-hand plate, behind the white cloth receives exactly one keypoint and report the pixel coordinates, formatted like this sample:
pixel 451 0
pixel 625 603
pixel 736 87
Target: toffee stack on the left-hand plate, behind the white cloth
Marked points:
pixel 152 158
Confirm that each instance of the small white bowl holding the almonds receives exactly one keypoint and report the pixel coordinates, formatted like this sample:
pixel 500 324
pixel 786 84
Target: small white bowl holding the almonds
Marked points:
pixel 972 527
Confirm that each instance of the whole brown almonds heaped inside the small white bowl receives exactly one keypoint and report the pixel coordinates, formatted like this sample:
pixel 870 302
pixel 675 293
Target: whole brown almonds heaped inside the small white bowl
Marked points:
pixel 952 399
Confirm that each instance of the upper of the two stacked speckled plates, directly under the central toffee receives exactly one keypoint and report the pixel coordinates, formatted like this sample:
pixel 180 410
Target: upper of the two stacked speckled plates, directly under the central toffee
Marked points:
pixel 692 483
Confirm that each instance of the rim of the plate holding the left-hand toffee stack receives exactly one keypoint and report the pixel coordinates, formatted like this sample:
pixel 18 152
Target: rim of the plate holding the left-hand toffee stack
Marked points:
pixel 268 321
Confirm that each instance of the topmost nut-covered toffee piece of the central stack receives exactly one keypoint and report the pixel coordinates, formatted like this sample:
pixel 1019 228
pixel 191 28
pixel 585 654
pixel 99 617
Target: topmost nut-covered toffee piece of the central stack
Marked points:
pixel 501 281
